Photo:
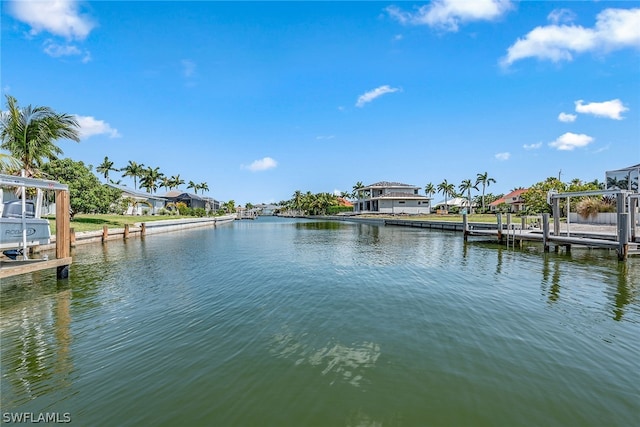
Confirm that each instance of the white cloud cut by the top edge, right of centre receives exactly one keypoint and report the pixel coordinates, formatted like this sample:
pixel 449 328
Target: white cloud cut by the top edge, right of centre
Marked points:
pixel 449 14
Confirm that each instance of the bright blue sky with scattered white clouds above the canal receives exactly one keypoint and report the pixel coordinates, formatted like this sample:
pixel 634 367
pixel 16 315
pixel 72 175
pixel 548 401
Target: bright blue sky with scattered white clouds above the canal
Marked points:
pixel 260 99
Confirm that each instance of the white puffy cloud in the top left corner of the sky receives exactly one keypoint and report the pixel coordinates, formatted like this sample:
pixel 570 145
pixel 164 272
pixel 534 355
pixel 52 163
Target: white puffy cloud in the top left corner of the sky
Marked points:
pixel 60 17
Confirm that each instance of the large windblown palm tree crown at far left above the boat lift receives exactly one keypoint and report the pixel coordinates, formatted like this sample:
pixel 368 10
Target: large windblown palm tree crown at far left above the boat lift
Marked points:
pixel 29 133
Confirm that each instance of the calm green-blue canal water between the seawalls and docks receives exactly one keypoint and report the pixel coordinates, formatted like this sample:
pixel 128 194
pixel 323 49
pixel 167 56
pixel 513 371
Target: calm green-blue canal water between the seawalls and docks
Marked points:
pixel 299 323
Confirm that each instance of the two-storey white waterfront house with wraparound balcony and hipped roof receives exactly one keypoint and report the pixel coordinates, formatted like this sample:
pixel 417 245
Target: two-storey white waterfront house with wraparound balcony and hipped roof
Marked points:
pixel 391 198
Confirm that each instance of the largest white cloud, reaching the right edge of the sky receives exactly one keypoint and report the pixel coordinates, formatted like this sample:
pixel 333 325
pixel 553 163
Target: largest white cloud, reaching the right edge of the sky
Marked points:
pixel 615 29
